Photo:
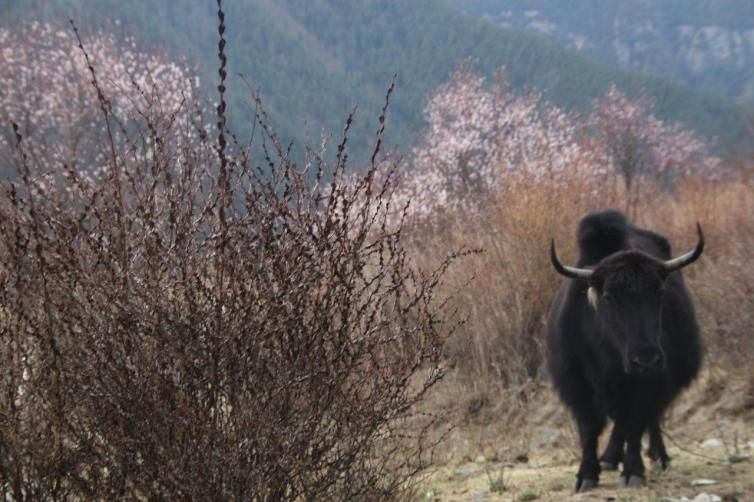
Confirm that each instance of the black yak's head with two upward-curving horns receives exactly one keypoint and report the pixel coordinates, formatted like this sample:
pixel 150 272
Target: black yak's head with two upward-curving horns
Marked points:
pixel 626 289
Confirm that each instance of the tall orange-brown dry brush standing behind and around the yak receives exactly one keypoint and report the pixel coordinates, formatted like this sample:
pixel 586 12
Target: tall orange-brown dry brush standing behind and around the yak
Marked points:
pixel 497 357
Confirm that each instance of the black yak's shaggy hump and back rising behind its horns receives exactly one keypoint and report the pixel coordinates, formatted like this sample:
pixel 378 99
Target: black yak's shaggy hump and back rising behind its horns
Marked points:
pixel 603 233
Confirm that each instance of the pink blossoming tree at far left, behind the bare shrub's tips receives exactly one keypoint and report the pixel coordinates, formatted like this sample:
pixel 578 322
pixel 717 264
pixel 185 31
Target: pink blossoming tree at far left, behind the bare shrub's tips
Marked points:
pixel 47 91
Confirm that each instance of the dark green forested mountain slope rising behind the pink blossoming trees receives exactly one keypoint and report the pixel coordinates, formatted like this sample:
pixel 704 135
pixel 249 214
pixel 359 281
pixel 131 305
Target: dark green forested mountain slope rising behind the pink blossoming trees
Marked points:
pixel 316 59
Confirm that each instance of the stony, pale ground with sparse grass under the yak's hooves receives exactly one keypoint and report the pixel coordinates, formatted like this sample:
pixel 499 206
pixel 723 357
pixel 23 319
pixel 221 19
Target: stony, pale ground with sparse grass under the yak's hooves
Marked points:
pixel 709 435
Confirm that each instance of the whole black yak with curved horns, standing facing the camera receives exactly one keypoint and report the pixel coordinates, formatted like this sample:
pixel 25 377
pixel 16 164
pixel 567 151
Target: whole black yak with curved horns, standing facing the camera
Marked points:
pixel 623 341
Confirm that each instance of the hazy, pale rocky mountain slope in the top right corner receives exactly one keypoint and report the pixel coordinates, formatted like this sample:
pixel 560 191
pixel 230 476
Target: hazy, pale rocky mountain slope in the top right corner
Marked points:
pixel 708 44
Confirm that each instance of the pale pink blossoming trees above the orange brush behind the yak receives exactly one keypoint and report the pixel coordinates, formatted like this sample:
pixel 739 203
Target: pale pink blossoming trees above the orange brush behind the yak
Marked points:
pixel 480 138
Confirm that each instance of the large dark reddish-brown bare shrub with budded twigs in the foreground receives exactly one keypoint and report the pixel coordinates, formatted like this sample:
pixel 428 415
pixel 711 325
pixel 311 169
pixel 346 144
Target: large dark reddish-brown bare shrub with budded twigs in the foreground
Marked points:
pixel 193 326
